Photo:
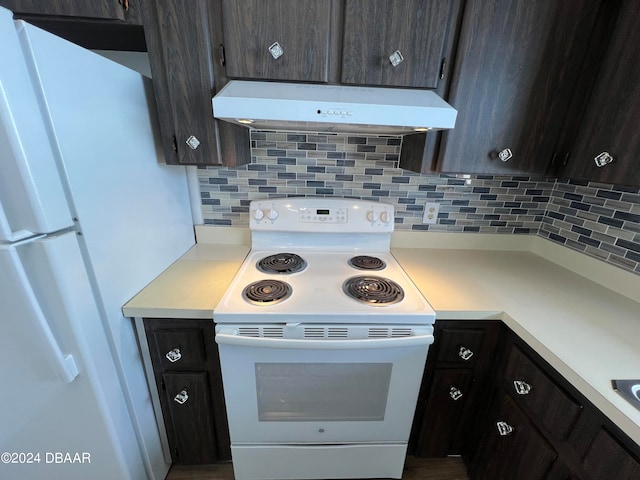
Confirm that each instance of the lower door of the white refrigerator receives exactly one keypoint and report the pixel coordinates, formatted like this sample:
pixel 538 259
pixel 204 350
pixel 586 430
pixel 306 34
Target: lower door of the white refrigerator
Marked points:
pixel 42 415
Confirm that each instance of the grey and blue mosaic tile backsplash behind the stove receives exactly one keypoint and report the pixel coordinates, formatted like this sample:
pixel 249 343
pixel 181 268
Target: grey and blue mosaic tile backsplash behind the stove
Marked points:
pixel 597 219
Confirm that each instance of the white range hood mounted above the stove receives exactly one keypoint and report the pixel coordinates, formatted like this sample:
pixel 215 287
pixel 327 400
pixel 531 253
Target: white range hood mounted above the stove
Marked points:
pixel 332 108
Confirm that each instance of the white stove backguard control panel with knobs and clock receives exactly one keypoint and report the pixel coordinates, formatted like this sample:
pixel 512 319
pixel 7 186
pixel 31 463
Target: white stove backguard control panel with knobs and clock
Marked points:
pixel 320 214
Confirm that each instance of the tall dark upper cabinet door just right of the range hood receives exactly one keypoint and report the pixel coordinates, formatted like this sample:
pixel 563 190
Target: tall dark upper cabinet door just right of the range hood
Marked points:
pixel 516 68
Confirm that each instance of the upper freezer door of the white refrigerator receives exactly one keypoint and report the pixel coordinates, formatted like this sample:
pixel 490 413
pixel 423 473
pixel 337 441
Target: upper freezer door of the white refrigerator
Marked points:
pixel 32 198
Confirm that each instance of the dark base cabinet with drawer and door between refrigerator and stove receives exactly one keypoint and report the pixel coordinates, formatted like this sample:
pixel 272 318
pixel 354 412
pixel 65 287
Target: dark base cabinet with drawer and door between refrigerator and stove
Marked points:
pixel 187 373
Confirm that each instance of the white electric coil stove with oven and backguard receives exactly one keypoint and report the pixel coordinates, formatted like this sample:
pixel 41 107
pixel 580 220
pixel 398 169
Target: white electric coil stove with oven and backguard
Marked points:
pixel 323 340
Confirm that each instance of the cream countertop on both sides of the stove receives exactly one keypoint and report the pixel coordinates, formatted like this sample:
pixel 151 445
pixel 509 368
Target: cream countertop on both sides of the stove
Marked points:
pixel 580 314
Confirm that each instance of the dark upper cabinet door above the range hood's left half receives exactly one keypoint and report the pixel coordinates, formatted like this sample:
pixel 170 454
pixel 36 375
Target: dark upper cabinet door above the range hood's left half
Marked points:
pixel 277 39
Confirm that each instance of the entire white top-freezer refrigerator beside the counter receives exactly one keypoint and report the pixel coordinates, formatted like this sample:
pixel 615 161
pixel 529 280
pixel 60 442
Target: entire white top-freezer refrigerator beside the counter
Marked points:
pixel 88 216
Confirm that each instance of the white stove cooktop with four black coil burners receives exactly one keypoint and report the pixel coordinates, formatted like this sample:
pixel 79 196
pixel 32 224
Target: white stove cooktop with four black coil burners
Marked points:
pixel 323 290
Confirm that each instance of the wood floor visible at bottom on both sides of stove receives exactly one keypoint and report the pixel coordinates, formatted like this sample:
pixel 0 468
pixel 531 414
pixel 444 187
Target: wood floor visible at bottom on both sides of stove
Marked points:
pixel 451 468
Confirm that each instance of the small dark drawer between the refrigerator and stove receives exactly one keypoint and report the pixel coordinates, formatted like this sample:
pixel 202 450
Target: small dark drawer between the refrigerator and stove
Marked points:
pixel 179 348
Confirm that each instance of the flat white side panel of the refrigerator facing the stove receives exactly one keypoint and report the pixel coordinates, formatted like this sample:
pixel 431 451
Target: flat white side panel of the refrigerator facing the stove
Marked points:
pixel 133 211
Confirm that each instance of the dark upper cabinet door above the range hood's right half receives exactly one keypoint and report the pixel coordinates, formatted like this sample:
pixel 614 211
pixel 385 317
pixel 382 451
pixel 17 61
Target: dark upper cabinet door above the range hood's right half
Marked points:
pixel 412 33
